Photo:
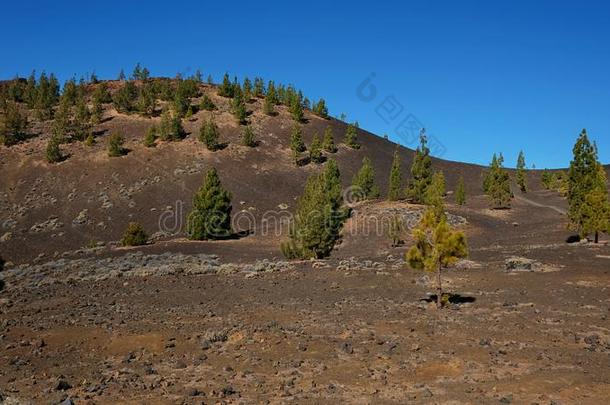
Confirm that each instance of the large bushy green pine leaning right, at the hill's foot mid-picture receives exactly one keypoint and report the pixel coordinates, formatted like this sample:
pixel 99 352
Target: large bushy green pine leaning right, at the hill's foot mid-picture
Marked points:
pixel 319 216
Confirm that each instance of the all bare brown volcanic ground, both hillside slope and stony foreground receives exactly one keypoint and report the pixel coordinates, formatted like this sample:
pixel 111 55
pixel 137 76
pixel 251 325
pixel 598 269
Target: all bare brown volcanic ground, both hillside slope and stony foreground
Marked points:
pixel 232 322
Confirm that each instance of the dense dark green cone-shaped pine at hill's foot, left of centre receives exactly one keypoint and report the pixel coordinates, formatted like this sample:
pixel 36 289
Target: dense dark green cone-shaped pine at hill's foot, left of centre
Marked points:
pixel 211 214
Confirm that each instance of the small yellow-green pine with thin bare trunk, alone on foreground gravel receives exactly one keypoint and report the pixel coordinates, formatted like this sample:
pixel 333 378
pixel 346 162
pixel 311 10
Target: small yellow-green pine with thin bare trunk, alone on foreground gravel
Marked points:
pixel 437 246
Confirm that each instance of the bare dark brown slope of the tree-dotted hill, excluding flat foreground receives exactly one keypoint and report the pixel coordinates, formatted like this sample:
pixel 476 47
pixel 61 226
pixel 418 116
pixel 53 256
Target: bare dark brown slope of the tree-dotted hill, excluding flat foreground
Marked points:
pixel 41 202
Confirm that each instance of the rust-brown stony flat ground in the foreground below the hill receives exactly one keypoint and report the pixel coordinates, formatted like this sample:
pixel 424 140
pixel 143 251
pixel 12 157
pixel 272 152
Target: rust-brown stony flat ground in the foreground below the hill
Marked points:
pixel 353 329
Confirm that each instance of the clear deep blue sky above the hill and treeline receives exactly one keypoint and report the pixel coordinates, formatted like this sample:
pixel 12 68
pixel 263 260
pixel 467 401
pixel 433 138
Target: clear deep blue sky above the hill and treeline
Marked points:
pixel 481 76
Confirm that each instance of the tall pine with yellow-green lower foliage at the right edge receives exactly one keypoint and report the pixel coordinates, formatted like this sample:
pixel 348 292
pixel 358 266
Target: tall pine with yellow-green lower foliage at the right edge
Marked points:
pixel 587 190
